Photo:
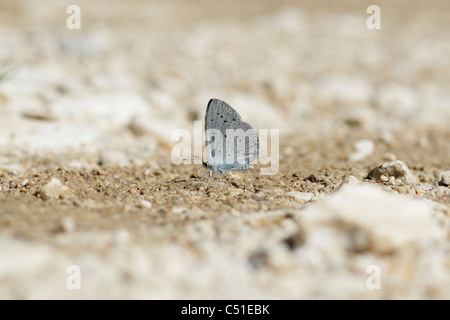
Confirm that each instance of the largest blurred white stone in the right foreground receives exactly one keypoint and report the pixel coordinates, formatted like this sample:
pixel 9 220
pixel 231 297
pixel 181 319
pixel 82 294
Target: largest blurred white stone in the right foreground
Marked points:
pixel 366 218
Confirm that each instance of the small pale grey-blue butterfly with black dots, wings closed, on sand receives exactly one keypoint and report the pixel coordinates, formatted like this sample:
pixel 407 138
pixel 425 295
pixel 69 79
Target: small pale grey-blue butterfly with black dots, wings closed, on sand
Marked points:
pixel 231 144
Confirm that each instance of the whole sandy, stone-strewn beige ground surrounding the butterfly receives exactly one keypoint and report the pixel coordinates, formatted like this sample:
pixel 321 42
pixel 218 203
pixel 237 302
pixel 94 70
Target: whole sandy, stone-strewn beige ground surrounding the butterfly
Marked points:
pixel 87 180
